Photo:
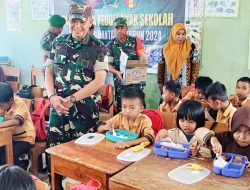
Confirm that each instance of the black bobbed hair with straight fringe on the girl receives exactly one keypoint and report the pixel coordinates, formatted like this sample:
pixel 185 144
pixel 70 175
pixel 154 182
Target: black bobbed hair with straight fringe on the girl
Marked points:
pixel 192 110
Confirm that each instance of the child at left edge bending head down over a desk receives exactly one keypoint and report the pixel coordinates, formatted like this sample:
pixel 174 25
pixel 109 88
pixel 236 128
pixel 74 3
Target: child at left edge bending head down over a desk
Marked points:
pixel 16 115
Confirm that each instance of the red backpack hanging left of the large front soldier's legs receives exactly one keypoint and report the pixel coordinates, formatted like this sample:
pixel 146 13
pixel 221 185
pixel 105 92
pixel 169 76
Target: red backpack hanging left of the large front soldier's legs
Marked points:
pixel 38 119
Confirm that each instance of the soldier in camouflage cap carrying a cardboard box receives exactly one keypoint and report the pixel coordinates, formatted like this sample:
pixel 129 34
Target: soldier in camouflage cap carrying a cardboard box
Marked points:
pixel 132 46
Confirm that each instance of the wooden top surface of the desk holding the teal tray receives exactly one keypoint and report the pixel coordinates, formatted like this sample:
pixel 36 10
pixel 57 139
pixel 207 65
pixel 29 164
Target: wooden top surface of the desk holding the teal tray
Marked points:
pixel 101 157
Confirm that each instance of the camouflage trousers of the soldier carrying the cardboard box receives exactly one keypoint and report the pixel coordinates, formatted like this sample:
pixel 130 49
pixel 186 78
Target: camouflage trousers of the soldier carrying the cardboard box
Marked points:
pixel 119 88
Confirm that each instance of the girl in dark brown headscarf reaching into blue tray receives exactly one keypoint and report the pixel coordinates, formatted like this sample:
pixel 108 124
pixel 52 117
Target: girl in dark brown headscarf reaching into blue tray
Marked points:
pixel 236 141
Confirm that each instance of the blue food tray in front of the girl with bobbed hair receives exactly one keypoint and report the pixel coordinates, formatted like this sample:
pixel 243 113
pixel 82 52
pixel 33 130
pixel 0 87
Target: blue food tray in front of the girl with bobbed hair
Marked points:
pixel 170 151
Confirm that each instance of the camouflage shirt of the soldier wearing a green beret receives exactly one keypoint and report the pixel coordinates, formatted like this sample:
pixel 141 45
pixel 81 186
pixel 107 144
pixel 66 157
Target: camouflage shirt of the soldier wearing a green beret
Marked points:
pixel 46 42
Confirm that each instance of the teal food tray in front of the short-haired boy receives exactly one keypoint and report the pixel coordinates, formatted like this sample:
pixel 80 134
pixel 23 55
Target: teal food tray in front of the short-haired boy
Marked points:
pixel 121 135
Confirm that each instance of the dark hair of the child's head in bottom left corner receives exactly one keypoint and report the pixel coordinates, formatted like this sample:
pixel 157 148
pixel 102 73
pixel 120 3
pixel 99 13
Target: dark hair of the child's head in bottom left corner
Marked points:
pixel 13 178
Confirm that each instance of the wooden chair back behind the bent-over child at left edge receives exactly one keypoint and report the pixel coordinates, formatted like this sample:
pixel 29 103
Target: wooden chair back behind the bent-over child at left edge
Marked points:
pixel 13 76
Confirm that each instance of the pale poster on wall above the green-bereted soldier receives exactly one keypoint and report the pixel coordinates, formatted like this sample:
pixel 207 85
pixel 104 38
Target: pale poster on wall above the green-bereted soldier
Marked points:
pixel 40 9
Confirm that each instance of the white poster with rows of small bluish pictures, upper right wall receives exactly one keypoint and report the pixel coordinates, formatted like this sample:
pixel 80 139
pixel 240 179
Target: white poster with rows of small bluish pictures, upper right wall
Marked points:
pixel 221 8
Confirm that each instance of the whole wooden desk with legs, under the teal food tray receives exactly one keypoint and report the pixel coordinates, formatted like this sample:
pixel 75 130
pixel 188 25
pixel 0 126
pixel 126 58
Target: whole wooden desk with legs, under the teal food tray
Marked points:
pixel 83 163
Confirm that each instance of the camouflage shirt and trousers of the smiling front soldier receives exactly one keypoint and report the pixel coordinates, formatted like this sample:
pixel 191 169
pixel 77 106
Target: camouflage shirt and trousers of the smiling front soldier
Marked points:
pixel 75 63
